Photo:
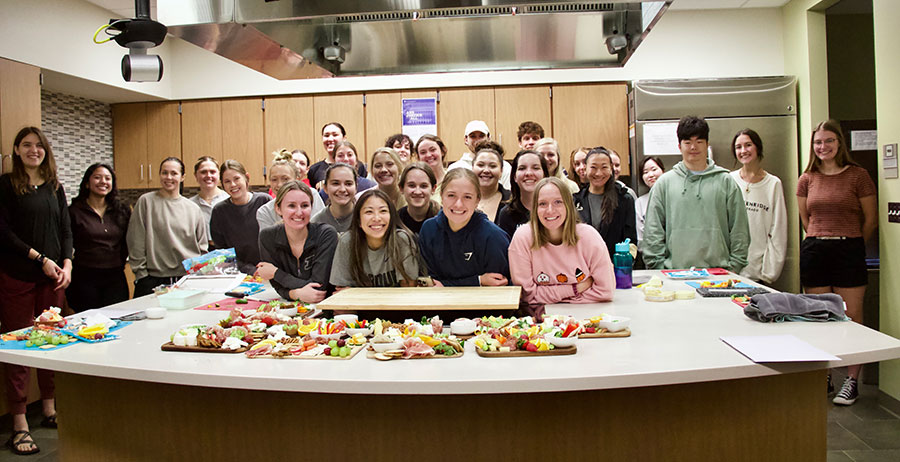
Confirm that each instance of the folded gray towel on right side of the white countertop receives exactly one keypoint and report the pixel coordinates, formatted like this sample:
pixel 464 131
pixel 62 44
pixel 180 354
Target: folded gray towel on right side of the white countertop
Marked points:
pixel 779 307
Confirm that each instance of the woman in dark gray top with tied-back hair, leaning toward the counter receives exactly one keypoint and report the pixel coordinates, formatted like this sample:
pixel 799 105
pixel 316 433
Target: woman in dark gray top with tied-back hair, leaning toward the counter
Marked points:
pixel 233 222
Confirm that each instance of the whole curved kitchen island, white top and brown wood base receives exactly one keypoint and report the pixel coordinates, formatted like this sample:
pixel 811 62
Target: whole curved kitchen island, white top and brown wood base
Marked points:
pixel 673 370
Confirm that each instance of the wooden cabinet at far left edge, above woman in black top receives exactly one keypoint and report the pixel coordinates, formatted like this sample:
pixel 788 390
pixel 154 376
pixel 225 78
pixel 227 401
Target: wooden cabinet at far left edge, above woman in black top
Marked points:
pixel 20 103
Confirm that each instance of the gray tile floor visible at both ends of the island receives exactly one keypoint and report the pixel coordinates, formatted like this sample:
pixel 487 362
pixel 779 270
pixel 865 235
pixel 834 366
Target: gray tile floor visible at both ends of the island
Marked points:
pixel 864 432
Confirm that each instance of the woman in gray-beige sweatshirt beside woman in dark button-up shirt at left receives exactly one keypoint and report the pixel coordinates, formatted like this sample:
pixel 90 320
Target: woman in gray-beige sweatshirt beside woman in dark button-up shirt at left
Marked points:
pixel 165 228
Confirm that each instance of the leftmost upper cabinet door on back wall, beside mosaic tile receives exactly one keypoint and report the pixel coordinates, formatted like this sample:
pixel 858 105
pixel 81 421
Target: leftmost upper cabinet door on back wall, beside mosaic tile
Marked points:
pixel 130 145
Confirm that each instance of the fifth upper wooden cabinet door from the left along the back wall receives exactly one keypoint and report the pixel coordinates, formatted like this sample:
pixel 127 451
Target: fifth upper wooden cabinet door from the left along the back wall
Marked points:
pixel 289 124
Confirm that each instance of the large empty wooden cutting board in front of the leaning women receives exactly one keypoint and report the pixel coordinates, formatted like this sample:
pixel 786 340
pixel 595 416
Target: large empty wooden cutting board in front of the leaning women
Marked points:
pixel 424 298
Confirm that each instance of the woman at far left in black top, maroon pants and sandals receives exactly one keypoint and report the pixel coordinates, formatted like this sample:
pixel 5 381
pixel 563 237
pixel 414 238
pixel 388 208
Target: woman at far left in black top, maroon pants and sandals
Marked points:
pixel 35 265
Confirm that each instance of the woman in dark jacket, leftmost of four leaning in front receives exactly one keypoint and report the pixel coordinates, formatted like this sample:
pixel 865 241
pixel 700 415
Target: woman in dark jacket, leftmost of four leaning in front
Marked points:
pixel 296 255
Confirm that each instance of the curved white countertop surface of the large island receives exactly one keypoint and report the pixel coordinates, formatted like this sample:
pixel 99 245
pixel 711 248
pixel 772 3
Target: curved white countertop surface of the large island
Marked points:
pixel 673 342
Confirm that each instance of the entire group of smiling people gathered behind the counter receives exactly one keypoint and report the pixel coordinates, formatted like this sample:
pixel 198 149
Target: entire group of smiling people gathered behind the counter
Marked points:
pixel 416 221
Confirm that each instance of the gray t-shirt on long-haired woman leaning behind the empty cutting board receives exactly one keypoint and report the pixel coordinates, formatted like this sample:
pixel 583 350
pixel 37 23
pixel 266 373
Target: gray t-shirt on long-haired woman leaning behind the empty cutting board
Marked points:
pixel 377 264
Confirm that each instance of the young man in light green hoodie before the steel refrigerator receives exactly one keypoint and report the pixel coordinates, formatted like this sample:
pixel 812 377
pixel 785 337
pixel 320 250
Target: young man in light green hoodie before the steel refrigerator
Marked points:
pixel 696 215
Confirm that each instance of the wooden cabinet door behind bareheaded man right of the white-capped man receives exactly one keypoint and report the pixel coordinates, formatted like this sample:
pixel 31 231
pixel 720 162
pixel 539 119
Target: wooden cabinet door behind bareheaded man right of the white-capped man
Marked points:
pixel 515 105
